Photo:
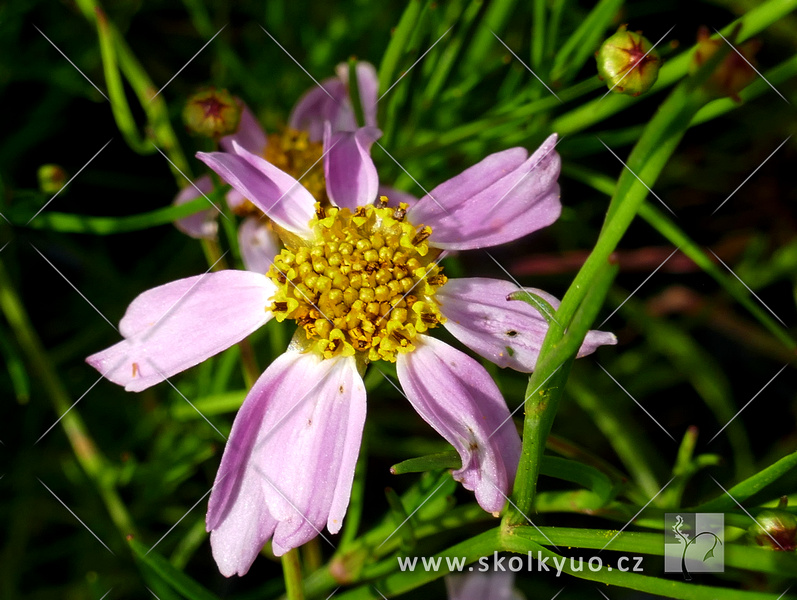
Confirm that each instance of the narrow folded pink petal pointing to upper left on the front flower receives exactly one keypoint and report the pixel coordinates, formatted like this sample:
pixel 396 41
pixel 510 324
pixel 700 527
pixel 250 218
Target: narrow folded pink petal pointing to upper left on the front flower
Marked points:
pixel 273 191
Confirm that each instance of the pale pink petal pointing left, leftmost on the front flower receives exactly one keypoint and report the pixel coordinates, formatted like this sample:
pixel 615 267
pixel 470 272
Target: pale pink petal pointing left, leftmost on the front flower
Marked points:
pixel 175 326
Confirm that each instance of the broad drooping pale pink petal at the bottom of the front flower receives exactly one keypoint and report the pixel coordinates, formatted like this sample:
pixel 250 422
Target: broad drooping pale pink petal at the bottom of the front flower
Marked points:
pixel 300 430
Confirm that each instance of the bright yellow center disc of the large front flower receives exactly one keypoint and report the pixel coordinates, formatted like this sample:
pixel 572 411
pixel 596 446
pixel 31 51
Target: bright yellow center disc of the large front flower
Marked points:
pixel 365 284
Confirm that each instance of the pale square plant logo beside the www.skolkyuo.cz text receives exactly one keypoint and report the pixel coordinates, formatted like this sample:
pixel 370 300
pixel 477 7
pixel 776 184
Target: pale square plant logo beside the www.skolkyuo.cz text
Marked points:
pixel 693 543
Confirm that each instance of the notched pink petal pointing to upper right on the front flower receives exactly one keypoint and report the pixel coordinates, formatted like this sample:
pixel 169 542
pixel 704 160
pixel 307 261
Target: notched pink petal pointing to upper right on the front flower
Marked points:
pixel 498 200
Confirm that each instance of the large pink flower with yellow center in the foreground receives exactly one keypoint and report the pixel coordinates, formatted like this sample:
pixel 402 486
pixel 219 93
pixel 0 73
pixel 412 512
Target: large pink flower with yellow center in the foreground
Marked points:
pixel 363 283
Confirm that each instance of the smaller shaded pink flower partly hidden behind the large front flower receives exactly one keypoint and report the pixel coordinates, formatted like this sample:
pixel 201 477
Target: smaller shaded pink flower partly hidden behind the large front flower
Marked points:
pixel 299 145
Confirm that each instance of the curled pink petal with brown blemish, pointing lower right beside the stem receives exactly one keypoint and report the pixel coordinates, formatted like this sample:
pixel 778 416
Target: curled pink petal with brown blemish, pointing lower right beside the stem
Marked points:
pixel 459 399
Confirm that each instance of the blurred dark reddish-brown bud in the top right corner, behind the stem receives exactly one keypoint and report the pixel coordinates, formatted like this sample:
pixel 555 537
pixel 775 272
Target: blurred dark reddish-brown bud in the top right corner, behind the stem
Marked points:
pixel 734 73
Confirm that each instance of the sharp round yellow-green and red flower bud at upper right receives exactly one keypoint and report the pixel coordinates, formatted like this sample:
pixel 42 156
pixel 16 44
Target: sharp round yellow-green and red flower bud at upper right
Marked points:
pixel 627 62
